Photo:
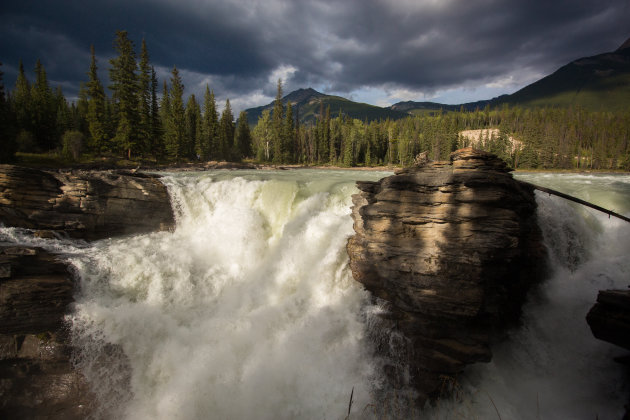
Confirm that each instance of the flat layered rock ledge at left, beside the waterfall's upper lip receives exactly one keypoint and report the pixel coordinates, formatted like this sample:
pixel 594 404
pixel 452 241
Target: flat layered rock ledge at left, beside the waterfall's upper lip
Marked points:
pixel 90 205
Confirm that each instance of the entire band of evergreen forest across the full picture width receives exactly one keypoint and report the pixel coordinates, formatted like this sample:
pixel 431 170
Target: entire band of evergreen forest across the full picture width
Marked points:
pixel 136 122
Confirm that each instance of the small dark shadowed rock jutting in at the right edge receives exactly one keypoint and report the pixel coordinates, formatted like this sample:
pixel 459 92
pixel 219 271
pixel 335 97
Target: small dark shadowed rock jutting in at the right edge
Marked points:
pixel 609 319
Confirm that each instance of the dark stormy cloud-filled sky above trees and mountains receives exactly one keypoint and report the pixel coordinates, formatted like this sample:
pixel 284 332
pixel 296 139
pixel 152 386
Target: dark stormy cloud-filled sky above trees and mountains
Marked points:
pixel 375 51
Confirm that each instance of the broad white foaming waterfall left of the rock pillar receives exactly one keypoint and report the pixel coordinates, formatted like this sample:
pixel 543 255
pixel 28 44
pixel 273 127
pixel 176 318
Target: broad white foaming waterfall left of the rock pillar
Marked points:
pixel 247 310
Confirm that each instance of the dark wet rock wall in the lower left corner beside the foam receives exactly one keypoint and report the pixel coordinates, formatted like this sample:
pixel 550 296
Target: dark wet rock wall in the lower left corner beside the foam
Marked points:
pixel 36 376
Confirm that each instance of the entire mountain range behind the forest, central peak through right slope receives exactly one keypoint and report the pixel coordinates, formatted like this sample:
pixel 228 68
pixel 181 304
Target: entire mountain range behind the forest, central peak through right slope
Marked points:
pixel 600 82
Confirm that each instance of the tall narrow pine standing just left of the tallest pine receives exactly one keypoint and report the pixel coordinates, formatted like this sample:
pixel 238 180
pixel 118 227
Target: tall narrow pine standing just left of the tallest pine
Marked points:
pixel 96 117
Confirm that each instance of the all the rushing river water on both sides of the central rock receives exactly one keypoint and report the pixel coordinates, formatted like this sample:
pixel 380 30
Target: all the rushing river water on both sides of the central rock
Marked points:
pixel 248 308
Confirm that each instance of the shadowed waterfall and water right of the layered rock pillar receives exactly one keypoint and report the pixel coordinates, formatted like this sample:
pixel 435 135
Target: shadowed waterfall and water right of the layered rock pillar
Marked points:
pixel 552 367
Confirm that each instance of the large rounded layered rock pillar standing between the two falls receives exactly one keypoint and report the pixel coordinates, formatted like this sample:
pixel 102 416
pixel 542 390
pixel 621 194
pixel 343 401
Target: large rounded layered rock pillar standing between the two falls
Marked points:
pixel 453 248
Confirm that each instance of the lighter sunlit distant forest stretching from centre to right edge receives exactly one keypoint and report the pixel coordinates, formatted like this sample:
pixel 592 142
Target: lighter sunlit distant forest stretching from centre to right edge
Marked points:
pixel 542 138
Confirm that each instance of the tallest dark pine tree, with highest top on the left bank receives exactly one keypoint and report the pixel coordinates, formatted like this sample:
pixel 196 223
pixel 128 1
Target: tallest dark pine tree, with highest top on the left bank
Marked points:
pixel 125 93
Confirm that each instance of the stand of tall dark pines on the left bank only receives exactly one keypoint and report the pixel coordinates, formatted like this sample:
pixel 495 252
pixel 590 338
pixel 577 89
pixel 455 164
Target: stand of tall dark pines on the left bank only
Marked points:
pixel 133 121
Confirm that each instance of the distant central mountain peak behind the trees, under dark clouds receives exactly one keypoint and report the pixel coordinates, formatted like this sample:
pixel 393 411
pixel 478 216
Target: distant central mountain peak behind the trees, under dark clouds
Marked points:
pixel 308 103
